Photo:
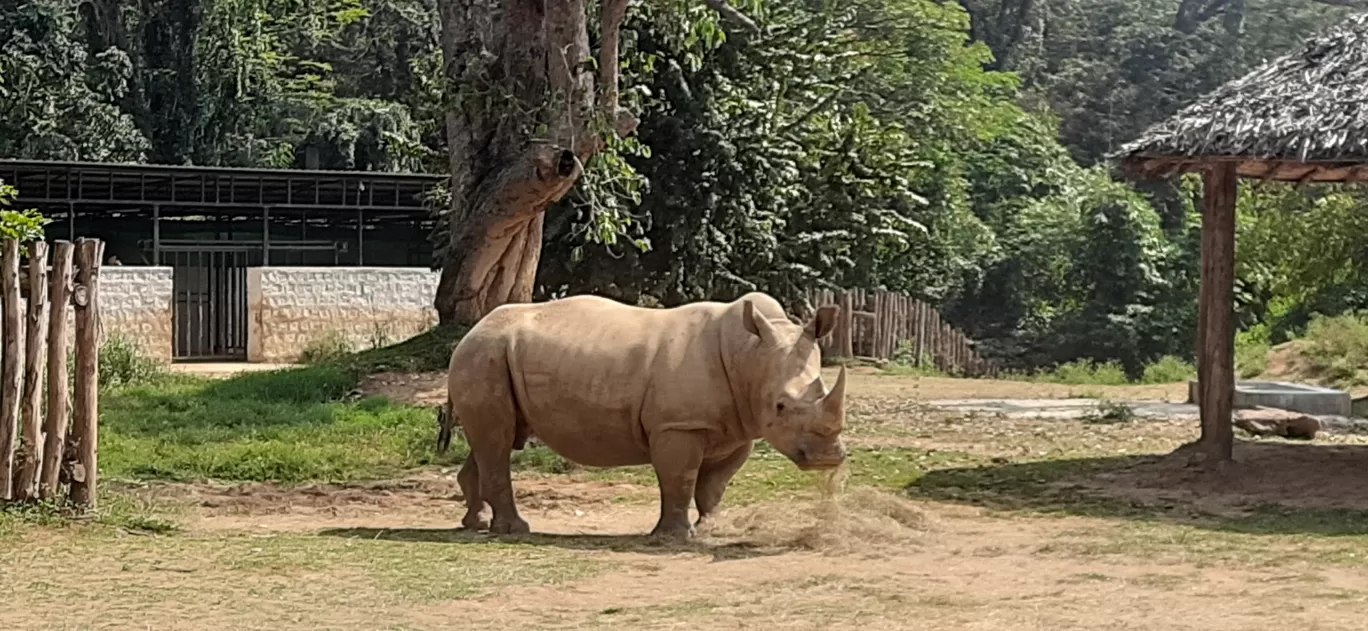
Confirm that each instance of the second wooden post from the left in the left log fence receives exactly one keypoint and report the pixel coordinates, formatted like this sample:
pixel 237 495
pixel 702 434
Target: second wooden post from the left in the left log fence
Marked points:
pixel 29 458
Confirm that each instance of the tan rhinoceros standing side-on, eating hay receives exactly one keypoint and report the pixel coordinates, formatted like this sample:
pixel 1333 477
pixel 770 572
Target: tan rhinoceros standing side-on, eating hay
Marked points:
pixel 687 391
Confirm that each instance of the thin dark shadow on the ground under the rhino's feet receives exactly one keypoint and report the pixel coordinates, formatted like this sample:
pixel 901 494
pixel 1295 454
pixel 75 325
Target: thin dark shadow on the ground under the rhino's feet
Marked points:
pixel 630 544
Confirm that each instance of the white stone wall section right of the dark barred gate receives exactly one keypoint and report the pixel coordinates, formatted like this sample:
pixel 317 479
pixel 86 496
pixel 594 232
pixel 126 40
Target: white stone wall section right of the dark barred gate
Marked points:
pixel 292 309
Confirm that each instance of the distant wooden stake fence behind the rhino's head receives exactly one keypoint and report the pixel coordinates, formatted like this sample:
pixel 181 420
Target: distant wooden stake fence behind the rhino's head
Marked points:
pixel 886 325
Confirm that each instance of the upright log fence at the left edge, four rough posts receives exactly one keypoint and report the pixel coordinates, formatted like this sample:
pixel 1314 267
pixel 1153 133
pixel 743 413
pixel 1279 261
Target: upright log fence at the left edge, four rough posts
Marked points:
pixel 46 440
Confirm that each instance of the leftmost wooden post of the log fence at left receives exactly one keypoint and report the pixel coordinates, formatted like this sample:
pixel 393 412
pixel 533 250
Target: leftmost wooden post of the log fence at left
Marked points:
pixel 12 361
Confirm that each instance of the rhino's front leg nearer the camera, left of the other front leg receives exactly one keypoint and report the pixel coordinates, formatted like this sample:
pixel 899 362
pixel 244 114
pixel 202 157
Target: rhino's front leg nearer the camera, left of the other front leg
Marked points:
pixel 676 458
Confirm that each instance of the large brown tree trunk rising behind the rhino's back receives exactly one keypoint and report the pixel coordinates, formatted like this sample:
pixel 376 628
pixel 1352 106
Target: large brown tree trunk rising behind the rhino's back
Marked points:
pixel 518 128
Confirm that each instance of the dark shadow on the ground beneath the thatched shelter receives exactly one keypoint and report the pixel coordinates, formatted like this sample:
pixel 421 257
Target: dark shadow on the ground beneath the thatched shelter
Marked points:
pixel 1274 488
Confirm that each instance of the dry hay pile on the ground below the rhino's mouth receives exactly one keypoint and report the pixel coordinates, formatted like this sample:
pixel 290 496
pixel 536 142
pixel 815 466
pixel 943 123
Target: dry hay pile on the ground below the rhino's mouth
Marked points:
pixel 835 522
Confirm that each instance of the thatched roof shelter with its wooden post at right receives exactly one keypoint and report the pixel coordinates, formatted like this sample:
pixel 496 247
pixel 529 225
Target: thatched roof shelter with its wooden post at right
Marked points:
pixel 1304 118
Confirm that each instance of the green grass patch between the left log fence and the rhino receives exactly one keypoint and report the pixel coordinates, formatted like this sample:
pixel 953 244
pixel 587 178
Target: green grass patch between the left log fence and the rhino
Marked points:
pixel 284 426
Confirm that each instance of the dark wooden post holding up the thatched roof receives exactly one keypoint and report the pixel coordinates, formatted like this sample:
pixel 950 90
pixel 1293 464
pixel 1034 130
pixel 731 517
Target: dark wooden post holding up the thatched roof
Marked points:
pixel 1217 336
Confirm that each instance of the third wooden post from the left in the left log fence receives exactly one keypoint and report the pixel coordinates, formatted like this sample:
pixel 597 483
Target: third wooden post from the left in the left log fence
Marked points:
pixel 60 409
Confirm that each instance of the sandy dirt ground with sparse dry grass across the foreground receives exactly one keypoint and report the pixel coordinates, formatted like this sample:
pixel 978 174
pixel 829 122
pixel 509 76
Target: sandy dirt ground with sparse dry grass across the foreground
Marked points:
pixel 386 556
